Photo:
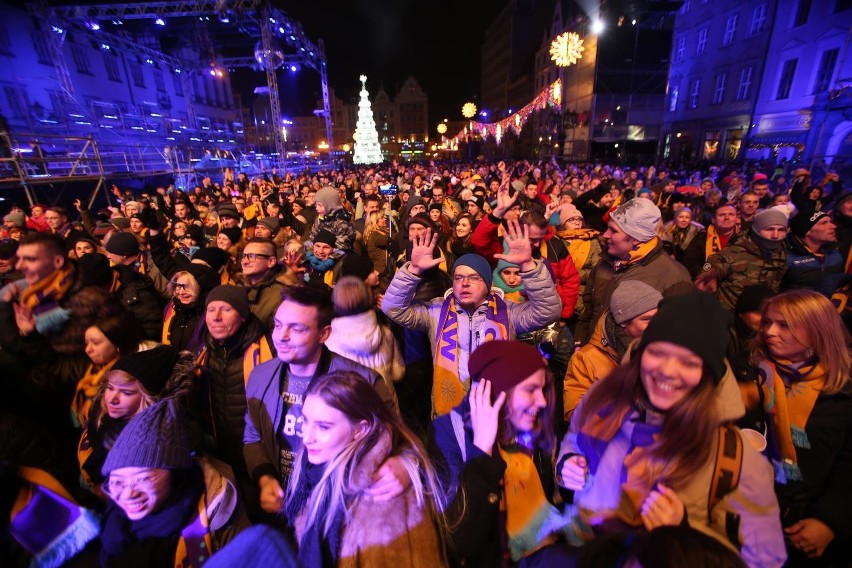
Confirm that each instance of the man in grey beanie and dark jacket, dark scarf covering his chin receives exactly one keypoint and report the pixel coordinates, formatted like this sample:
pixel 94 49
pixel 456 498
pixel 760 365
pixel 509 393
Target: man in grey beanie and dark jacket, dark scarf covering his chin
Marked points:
pixel 755 256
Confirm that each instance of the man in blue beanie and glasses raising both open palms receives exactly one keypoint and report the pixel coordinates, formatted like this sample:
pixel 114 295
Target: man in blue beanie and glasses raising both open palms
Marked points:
pixel 452 335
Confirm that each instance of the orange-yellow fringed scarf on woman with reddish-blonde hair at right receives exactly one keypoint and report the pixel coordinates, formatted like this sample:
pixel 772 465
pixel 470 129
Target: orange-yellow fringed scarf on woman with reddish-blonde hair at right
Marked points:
pixel 789 396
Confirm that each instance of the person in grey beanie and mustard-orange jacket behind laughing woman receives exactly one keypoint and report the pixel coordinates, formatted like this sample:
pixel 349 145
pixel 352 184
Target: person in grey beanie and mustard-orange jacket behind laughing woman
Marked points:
pixel 631 307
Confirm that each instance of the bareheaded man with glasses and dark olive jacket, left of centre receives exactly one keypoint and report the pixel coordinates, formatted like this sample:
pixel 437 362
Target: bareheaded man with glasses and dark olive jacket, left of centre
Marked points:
pixel 264 279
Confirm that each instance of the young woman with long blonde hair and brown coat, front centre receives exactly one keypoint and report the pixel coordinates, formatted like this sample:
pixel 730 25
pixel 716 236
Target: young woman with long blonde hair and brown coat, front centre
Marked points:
pixel 347 433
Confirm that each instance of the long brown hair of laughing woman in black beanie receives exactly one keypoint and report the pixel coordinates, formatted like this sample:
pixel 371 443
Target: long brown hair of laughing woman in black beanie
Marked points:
pixel 681 456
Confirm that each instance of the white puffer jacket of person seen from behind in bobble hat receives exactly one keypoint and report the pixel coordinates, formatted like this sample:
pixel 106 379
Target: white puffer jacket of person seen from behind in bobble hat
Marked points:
pixel 361 338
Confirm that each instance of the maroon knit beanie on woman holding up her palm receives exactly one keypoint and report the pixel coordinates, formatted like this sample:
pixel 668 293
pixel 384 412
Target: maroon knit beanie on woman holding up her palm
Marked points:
pixel 505 363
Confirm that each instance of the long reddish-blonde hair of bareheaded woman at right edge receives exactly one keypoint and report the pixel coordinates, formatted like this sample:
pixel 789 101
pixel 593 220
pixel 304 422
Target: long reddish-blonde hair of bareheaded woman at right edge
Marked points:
pixel 814 322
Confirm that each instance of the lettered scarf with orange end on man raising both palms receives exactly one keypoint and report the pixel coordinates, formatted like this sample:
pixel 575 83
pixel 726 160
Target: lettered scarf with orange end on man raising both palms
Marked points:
pixel 447 388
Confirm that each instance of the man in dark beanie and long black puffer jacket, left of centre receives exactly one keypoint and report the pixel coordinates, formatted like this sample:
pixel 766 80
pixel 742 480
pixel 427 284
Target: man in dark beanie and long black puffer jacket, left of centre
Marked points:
pixel 234 343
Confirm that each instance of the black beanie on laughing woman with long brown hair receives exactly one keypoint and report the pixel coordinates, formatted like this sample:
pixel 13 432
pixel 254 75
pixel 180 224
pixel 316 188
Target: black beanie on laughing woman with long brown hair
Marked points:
pixel 677 322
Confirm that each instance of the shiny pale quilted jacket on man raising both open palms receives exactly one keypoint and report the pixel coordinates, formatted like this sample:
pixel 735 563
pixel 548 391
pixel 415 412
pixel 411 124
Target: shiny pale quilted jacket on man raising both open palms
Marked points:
pixel 543 307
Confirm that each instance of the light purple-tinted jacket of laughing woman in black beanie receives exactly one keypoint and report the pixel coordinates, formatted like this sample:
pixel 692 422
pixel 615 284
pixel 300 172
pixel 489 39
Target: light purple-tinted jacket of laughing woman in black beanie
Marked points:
pixel 752 506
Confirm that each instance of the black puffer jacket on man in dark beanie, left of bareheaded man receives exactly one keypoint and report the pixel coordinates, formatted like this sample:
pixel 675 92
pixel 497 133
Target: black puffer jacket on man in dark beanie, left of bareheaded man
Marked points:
pixel 224 391
